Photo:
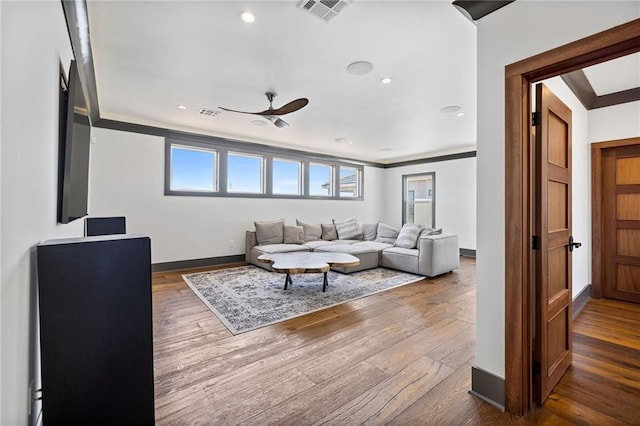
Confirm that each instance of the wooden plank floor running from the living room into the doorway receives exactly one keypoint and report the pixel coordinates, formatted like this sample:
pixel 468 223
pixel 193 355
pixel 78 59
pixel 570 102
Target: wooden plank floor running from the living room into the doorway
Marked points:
pixel 400 357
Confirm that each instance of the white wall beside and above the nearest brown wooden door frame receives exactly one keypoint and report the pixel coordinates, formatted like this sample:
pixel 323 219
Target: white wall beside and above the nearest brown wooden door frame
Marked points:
pixel 517 31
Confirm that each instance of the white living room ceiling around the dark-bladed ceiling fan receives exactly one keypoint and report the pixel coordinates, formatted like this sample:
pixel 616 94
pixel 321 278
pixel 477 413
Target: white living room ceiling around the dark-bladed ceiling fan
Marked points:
pixel 151 56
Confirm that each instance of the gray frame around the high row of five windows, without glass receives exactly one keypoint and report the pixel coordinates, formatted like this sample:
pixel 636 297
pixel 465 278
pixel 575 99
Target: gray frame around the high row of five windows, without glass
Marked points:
pixel 224 147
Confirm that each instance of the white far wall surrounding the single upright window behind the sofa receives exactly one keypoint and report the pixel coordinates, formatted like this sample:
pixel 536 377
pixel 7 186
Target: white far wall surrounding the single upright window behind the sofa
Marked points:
pixel 455 196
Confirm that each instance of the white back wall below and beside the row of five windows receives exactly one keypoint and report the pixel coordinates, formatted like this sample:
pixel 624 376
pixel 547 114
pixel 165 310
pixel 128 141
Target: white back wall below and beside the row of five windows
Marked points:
pixel 127 178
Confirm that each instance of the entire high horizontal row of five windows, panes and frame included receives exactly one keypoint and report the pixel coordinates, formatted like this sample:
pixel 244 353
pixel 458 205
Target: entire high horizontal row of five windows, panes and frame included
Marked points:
pixel 213 167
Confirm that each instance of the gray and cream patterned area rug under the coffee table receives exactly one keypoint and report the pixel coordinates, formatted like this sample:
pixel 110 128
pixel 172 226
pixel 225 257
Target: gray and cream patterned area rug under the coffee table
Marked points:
pixel 249 297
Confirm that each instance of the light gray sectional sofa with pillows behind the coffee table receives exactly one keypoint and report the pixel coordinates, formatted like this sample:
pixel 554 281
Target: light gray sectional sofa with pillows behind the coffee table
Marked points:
pixel 412 248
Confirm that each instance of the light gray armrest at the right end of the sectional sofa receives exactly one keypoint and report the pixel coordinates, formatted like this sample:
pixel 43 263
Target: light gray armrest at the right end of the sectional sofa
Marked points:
pixel 438 254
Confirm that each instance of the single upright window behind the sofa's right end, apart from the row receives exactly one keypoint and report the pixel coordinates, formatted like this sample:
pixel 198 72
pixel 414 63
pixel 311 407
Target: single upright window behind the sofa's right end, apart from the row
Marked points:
pixel 418 199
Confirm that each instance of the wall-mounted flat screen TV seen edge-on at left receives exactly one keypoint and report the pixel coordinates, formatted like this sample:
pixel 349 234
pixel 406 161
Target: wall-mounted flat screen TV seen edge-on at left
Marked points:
pixel 73 151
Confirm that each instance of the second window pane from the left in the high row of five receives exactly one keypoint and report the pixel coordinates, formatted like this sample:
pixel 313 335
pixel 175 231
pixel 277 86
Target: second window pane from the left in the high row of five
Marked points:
pixel 245 173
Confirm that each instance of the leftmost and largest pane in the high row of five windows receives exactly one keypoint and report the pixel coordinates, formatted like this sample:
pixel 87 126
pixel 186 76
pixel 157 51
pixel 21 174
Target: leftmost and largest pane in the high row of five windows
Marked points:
pixel 193 169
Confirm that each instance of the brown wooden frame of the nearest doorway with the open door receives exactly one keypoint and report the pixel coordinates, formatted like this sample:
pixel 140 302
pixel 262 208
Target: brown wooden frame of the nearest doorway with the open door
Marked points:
pixel 519 180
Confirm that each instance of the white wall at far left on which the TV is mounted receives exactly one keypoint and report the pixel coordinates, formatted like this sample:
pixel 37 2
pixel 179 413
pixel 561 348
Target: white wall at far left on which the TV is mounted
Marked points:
pixel 34 44
